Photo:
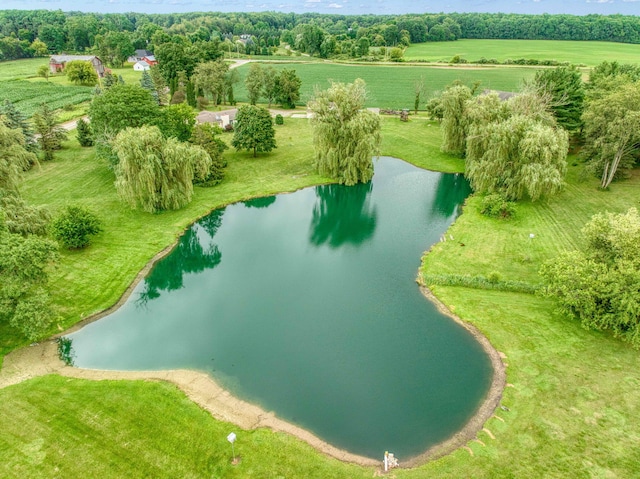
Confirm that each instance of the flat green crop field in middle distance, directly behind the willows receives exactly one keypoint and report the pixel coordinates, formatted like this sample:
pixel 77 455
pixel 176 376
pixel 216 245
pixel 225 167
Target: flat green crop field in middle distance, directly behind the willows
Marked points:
pixel 394 86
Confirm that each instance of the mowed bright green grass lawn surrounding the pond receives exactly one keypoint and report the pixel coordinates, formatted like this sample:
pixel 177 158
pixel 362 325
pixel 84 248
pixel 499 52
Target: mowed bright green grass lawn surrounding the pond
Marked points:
pixel 572 398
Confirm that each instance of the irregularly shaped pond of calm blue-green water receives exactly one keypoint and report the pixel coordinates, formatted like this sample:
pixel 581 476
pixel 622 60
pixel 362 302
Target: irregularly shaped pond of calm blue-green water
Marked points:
pixel 306 304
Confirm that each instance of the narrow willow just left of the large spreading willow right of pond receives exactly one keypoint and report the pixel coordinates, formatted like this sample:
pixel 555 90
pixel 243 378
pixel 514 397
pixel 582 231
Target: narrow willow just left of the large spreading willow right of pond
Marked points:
pixel 454 100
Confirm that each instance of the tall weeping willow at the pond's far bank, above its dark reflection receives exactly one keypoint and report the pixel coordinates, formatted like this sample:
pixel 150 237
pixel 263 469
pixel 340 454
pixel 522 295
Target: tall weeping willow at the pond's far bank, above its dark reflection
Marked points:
pixel 346 137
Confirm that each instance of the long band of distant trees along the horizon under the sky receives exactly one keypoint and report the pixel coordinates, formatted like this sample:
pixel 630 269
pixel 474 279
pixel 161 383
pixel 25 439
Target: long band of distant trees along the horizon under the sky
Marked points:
pixel 28 33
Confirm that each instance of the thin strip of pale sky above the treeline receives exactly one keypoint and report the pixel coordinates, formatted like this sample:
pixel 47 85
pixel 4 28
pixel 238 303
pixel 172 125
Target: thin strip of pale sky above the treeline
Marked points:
pixel 344 7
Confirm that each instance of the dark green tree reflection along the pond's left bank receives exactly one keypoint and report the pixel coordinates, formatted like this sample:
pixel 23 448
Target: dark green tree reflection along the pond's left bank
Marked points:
pixel 189 256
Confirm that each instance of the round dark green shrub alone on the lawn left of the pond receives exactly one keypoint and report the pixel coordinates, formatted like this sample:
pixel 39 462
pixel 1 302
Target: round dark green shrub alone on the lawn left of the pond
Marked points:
pixel 74 226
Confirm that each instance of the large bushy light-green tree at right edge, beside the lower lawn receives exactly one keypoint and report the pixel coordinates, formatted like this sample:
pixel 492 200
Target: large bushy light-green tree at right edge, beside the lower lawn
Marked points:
pixel 599 285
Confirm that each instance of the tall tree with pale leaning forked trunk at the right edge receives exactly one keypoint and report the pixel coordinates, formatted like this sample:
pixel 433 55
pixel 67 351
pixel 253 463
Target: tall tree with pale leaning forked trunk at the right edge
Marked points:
pixel 612 130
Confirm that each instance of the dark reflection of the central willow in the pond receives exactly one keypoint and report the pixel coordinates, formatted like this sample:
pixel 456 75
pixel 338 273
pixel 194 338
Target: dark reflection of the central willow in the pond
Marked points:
pixel 343 214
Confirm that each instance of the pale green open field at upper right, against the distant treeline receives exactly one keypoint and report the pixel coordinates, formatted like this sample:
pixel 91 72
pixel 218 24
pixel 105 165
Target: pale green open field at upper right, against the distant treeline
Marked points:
pixel 587 53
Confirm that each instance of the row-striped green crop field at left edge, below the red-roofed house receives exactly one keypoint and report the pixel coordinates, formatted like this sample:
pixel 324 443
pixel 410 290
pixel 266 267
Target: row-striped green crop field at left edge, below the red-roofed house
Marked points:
pixel 27 96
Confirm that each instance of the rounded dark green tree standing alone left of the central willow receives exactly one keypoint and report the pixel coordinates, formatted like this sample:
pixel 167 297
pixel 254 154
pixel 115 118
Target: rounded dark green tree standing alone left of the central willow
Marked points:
pixel 254 130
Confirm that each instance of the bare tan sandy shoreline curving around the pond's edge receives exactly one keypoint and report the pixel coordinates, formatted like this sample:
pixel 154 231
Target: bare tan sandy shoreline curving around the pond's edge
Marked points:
pixel 42 358
